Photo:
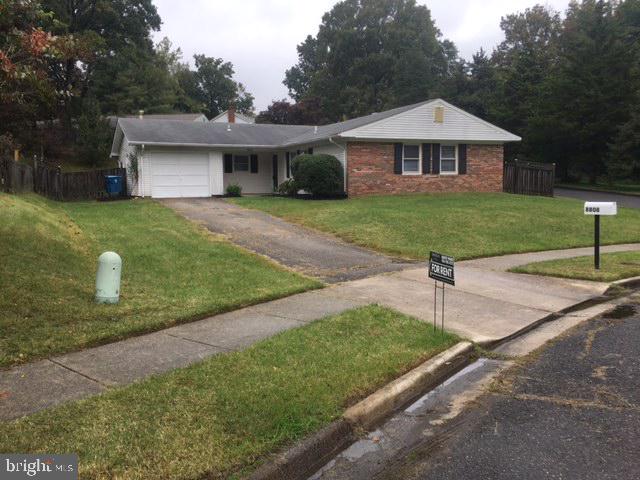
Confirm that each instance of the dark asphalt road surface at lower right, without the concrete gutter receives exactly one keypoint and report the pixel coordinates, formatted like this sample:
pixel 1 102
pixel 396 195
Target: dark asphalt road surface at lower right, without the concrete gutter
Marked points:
pixel 571 413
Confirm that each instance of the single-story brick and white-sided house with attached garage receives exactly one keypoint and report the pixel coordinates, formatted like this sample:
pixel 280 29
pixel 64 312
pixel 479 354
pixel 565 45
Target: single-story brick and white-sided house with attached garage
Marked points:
pixel 430 146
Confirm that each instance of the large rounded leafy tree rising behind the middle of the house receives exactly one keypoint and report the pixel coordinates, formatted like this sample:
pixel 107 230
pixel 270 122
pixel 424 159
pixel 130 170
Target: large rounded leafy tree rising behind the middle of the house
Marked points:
pixel 370 55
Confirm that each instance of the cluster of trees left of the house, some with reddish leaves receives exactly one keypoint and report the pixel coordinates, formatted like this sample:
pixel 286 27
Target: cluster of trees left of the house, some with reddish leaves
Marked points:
pixel 67 64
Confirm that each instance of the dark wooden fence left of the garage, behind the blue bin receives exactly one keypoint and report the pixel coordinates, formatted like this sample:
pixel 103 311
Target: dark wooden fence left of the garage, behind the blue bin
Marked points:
pixel 51 182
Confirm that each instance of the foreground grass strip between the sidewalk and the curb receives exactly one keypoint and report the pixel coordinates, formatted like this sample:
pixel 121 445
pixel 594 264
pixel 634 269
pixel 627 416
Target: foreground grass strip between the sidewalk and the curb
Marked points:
pixel 221 417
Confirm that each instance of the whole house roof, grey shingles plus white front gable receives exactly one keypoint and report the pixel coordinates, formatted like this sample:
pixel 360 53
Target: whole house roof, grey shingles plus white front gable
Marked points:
pixel 411 122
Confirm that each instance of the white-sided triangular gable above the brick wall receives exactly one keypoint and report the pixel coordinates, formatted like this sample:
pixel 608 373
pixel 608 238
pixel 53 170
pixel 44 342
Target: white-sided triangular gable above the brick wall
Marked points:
pixel 419 124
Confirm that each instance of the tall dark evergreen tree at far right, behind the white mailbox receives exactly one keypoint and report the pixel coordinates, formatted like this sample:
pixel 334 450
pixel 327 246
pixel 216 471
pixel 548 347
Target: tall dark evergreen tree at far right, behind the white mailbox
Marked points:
pixel 590 89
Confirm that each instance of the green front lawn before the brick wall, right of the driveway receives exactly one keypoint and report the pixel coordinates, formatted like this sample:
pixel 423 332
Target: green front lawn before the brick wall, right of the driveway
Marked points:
pixel 463 225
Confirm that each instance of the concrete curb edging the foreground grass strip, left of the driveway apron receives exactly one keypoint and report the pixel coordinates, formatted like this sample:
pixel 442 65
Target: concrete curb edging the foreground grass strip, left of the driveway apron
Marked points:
pixel 312 453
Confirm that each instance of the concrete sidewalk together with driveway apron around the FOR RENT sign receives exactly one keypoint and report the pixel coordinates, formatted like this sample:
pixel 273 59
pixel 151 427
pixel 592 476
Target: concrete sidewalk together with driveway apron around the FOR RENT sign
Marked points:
pixel 487 304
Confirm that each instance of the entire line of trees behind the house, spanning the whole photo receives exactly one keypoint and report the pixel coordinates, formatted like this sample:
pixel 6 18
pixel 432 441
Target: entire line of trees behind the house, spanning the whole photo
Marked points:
pixel 567 82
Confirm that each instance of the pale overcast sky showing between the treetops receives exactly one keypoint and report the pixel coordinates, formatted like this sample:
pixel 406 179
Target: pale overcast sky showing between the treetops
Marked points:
pixel 260 36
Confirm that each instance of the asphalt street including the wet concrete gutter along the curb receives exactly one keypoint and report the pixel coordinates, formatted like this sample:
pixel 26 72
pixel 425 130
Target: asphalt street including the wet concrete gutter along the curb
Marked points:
pixel 569 410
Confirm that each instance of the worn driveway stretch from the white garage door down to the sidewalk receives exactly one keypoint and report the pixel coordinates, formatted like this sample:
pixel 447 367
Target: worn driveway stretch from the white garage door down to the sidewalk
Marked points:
pixel 309 252
